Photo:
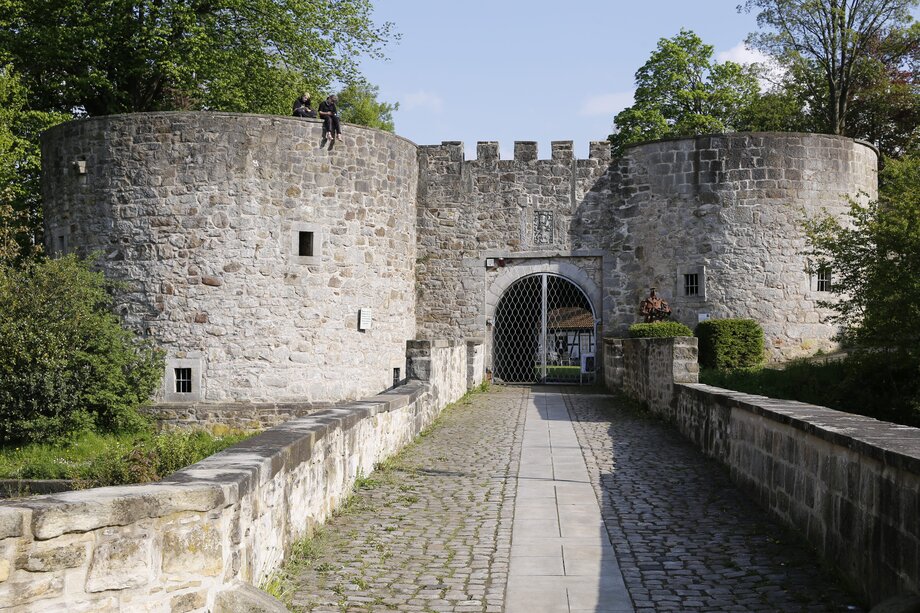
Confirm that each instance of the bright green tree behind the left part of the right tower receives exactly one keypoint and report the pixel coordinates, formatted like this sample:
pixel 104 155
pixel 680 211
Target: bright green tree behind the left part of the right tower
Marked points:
pixel 681 91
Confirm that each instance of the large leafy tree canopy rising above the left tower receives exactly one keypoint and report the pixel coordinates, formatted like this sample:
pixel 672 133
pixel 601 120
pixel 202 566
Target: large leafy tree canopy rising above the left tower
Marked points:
pixel 113 56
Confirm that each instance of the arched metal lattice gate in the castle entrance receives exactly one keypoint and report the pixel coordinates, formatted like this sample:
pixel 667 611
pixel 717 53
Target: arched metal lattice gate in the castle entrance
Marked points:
pixel 544 331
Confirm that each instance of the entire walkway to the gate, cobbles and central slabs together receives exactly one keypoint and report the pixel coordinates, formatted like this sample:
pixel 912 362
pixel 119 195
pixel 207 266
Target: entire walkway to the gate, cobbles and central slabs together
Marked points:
pixel 496 509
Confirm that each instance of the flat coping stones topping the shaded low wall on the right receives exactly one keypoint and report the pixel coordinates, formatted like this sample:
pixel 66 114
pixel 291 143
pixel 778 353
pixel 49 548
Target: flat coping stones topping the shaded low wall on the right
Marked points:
pixel 892 444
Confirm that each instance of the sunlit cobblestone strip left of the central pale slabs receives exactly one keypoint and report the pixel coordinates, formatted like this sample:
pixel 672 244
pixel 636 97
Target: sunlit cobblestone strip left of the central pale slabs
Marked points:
pixel 432 529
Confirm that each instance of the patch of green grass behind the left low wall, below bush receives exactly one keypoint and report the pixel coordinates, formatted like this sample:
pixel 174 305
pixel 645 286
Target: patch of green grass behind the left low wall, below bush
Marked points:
pixel 95 460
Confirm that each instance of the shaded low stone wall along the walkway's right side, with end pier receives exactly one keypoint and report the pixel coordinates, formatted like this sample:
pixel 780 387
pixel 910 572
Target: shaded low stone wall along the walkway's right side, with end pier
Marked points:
pixel 850 484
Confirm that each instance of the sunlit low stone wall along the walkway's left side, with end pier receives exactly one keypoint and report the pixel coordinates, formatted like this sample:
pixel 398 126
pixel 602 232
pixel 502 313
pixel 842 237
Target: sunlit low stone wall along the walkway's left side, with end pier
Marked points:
pixel 176 544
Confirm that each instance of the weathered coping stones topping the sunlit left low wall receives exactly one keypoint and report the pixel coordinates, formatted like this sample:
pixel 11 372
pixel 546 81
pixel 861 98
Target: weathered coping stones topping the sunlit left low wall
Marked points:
pixel 212 483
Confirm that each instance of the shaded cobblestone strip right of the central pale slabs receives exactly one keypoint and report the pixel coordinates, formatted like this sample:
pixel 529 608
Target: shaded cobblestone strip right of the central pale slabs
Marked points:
pixel 685 537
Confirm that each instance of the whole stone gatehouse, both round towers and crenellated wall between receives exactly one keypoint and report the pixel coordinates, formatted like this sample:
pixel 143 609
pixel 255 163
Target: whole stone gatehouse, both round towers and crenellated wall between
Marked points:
pixel 271 269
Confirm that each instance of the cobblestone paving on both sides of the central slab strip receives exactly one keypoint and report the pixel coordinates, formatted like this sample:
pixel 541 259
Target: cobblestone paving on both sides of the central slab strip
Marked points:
pixel 431 530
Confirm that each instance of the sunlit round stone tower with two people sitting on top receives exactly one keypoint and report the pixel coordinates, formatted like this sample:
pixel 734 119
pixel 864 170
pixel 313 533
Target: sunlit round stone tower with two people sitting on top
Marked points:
pixel 269 267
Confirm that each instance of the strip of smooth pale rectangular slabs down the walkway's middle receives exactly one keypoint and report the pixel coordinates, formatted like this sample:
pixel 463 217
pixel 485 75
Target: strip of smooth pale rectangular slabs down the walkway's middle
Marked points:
pixel 561 558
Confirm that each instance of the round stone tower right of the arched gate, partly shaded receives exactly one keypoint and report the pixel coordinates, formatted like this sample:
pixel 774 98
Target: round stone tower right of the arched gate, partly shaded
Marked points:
pixel 717 224
